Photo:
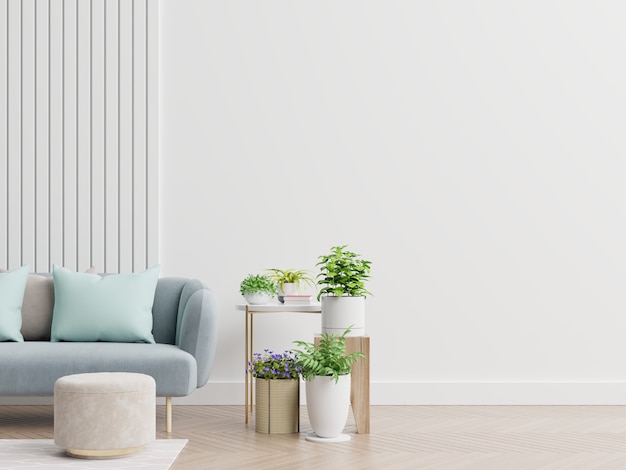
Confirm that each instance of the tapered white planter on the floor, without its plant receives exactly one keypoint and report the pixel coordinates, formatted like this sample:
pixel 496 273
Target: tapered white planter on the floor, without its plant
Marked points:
pixel 328 404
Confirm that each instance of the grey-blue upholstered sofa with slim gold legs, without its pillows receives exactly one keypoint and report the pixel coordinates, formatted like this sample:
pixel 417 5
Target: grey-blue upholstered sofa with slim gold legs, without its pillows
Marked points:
pixel 185 332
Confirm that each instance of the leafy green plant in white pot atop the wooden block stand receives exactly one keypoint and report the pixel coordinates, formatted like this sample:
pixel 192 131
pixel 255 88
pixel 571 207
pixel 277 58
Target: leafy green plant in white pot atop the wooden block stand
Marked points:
pixel 342 276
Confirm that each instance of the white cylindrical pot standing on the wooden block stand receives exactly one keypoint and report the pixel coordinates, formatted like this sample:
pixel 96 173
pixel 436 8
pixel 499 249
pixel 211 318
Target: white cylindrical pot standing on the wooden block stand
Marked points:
pixel 339 313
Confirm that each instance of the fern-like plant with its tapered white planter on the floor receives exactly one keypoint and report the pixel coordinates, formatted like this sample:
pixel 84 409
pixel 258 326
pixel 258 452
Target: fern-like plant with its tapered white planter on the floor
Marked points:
pixel 326 369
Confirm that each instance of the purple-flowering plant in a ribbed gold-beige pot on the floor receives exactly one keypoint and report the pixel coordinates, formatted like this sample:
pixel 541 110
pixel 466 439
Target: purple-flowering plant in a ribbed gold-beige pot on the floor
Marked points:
pixel 277 378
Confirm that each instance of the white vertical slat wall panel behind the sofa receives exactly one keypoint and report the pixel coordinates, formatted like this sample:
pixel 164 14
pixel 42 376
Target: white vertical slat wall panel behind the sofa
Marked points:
pixel 79 134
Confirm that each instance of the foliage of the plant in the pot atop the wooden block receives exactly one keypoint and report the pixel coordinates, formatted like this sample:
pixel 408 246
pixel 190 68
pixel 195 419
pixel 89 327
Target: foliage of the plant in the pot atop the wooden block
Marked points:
pixel 342 272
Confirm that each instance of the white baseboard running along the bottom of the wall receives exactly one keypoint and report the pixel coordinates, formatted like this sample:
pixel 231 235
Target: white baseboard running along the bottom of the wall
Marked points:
pixel 423 393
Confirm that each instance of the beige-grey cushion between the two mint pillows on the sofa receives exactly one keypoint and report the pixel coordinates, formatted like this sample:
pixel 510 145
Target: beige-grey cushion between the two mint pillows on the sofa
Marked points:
pixel 38 305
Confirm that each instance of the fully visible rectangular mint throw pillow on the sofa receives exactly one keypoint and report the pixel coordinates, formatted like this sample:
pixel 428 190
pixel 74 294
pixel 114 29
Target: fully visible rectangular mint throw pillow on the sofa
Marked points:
pixel 116 308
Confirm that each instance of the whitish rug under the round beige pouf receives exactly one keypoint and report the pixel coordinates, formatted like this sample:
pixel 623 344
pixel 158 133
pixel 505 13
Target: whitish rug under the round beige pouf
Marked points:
pixel 18 454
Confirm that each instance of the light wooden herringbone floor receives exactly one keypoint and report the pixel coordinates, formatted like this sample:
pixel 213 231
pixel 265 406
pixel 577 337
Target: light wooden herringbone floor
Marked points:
pixel 403 437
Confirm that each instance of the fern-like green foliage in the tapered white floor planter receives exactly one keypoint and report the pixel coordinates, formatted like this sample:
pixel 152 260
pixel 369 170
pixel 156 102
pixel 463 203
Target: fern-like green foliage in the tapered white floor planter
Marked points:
pixel 328 358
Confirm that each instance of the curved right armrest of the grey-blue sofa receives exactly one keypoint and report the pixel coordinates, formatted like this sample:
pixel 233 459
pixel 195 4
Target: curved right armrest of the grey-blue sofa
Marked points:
pixel 197 327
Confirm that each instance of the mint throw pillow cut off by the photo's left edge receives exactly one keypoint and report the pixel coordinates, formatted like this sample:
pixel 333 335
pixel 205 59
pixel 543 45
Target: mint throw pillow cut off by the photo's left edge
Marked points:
pixel 12 285
